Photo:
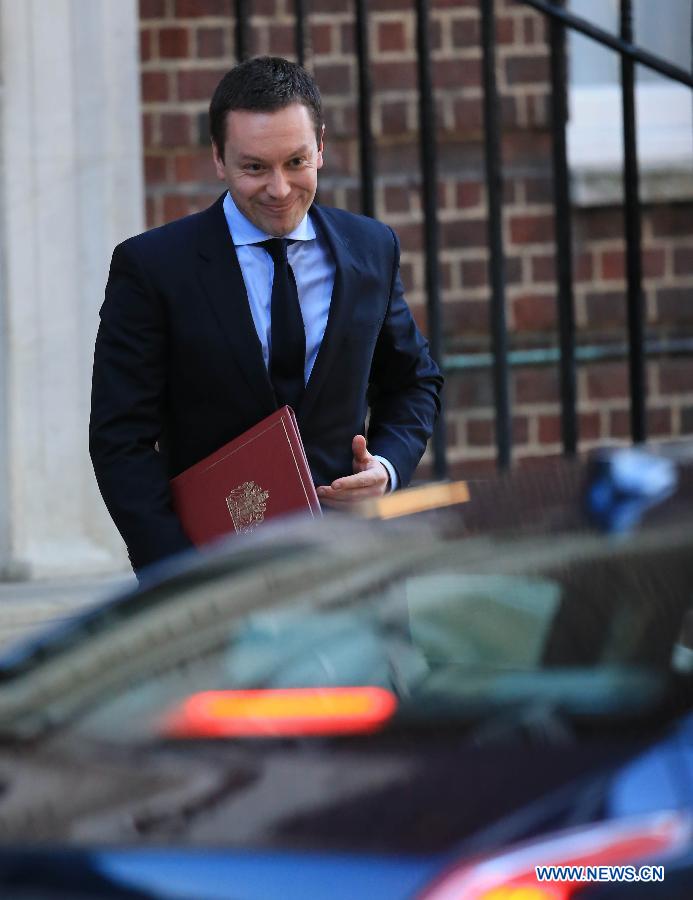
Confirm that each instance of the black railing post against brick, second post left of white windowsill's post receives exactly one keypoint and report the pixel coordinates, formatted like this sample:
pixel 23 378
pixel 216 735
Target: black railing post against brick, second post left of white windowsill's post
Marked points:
pixel 496 260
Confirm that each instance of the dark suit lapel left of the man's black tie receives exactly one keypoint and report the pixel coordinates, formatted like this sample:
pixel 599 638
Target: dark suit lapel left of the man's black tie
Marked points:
pixel 222 280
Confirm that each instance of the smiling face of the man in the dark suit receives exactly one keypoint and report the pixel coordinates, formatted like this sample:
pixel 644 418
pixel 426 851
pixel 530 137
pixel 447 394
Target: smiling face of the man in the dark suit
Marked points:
pixel 271 162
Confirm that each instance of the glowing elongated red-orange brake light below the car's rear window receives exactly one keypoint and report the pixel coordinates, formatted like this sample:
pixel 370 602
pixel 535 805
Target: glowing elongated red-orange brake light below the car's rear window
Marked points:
pixel 281 712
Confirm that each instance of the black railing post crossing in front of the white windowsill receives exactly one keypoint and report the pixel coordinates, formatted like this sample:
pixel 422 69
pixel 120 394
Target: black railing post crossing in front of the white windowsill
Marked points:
pixel 633 230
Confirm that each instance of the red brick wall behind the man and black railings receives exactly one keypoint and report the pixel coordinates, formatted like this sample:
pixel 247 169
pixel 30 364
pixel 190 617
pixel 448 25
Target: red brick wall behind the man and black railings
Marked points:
pixel 186 45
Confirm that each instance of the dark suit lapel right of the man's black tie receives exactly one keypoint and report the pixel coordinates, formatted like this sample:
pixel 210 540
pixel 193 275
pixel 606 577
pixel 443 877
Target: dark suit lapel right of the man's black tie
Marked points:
pixel 341 308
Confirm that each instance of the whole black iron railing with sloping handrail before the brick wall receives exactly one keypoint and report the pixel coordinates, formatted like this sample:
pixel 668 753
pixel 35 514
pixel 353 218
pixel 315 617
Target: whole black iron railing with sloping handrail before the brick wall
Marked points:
pixel 501 359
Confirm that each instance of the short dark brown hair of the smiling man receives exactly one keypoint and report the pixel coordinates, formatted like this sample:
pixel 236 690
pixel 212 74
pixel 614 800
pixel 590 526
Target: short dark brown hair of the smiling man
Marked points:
pixel 262 84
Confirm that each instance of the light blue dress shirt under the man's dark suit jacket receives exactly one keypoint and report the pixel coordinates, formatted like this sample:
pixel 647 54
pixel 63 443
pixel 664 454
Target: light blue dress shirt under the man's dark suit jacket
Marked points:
pixel 314 271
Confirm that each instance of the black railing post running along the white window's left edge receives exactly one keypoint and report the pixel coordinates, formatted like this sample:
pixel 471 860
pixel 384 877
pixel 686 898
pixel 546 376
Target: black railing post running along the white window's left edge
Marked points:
pixel 564 242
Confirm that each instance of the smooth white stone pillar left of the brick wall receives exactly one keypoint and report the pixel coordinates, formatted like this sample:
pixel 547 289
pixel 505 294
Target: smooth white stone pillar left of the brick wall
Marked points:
pixel 71 187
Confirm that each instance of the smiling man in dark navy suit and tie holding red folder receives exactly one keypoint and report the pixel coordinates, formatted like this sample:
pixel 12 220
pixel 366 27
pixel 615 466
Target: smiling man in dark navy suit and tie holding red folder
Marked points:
pixel 209 324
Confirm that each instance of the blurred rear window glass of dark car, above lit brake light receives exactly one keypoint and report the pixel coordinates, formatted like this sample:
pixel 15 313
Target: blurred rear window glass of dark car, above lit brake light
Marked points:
pixel 591 625
